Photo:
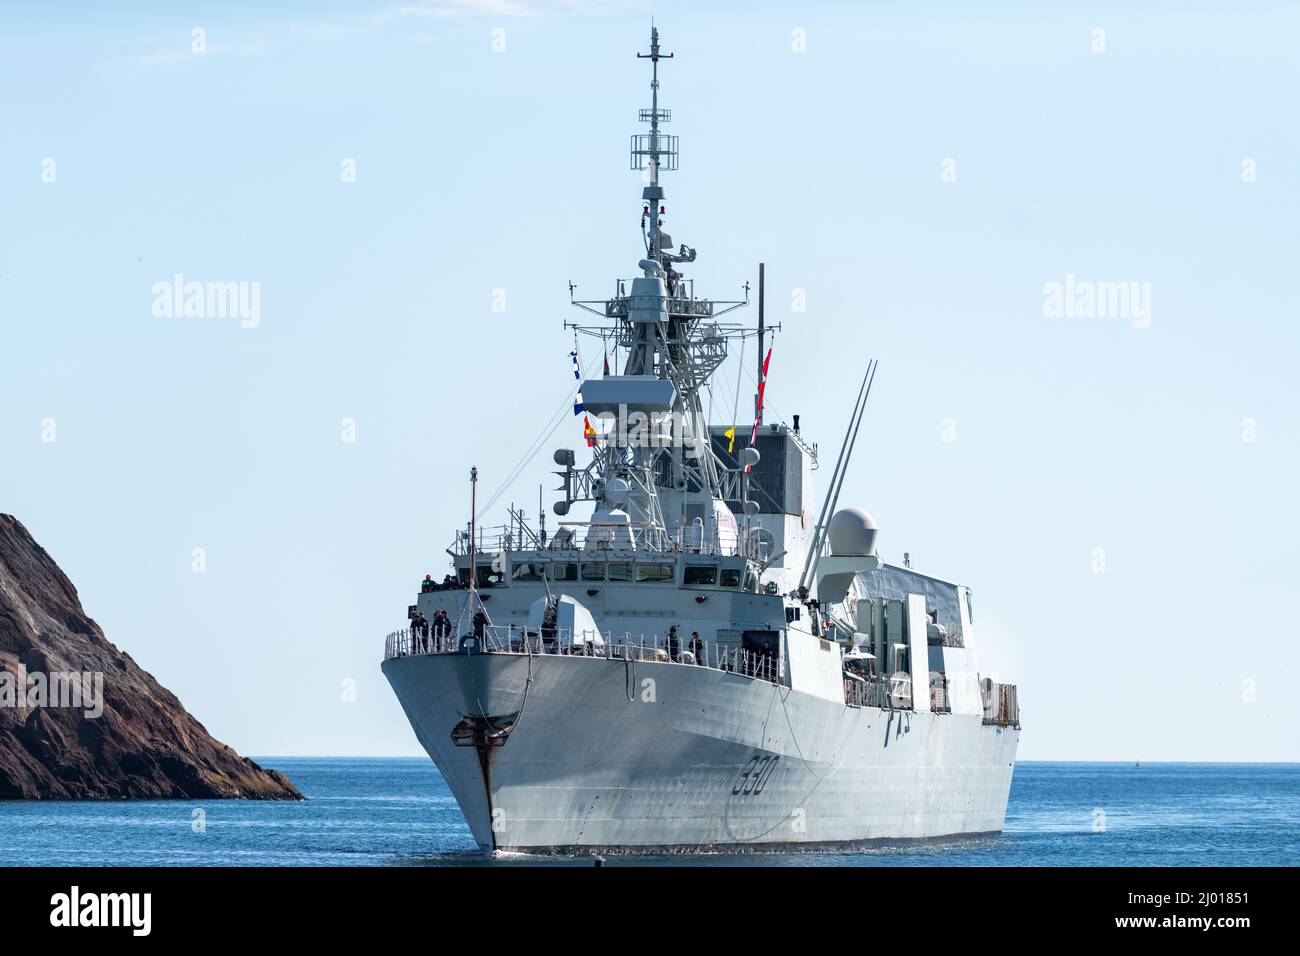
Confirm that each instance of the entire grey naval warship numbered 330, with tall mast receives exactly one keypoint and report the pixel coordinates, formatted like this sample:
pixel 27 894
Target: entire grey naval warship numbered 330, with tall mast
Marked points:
pixel 700 664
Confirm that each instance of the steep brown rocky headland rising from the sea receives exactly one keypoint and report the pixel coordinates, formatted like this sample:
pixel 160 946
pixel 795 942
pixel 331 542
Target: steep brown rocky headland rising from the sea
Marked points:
pixel 144 745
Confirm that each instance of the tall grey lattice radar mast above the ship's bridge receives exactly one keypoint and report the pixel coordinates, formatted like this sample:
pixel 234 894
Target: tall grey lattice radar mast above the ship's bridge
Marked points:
pixel 673 344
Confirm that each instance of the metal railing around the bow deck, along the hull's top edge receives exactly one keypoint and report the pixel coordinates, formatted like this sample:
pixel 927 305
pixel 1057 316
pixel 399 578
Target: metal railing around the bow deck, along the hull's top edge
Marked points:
pixel 510 639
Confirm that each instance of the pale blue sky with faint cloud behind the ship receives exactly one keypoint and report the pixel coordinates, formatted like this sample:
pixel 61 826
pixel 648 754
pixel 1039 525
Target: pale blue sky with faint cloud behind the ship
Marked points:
pixel 482 171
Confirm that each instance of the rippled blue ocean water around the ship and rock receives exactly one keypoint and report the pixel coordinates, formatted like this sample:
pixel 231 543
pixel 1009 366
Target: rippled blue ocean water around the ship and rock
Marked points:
pixel 400 812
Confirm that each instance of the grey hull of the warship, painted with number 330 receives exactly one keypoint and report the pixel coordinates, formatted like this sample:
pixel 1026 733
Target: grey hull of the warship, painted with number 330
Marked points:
pixel 634 756
